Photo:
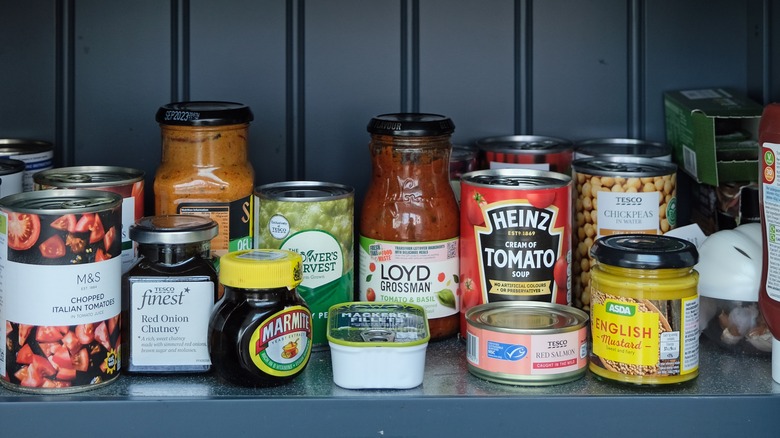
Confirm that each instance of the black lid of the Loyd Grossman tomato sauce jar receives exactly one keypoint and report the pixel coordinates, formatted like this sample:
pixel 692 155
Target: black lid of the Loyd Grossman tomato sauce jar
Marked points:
pixel 411 125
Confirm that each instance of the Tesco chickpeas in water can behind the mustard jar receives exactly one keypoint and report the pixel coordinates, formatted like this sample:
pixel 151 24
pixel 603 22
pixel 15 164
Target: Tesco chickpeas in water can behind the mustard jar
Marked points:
pixel 618 195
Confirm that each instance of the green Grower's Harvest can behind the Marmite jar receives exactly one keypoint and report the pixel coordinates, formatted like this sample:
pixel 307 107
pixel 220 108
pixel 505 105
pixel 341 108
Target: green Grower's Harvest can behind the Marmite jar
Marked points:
pixel 316 220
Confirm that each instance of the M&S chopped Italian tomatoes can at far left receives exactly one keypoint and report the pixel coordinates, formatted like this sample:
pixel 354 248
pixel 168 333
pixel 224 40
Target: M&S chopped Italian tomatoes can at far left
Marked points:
pixel 60 290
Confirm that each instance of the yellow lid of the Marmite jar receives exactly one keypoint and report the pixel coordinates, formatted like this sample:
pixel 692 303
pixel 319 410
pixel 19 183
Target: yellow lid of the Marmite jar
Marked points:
pixel 261 269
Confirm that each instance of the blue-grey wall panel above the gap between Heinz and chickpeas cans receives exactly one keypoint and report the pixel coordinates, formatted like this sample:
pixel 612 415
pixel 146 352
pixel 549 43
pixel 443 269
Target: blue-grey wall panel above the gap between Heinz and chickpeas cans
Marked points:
pixel 580 68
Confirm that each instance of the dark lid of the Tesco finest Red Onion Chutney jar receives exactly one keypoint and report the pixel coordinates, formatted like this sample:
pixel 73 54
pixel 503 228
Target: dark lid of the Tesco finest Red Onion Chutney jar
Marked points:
pixel 173 229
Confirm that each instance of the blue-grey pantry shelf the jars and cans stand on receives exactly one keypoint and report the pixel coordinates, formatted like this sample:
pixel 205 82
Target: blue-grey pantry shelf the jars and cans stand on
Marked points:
pixel 732 395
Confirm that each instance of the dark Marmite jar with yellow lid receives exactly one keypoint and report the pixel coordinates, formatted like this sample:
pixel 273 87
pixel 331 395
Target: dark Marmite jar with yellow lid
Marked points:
pixel 260 331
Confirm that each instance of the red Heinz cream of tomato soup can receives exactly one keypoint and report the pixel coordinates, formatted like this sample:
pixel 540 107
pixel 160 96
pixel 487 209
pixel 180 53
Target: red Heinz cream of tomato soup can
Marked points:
pixel 515 240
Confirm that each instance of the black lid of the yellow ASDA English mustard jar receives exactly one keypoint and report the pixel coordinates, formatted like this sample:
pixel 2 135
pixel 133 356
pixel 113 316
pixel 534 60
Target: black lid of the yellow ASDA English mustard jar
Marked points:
pixel 644 251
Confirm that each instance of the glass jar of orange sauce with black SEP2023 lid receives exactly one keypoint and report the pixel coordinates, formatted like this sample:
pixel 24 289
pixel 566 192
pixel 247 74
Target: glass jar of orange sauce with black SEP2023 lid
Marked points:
pixel 205 168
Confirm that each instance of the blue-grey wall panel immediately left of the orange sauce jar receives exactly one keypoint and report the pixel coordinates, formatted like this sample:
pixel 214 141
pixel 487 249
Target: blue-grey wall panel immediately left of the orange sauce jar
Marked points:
pixel 122 74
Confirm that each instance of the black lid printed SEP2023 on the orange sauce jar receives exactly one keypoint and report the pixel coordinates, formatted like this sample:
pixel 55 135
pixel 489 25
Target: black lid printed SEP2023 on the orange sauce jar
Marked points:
pixel 204 113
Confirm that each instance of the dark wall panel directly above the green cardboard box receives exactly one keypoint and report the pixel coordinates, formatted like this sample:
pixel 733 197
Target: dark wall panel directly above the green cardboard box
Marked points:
pixel 692 44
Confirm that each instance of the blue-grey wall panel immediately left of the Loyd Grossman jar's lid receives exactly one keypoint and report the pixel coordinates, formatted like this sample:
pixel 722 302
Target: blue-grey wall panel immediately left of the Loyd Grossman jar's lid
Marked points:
pixel 352 72
